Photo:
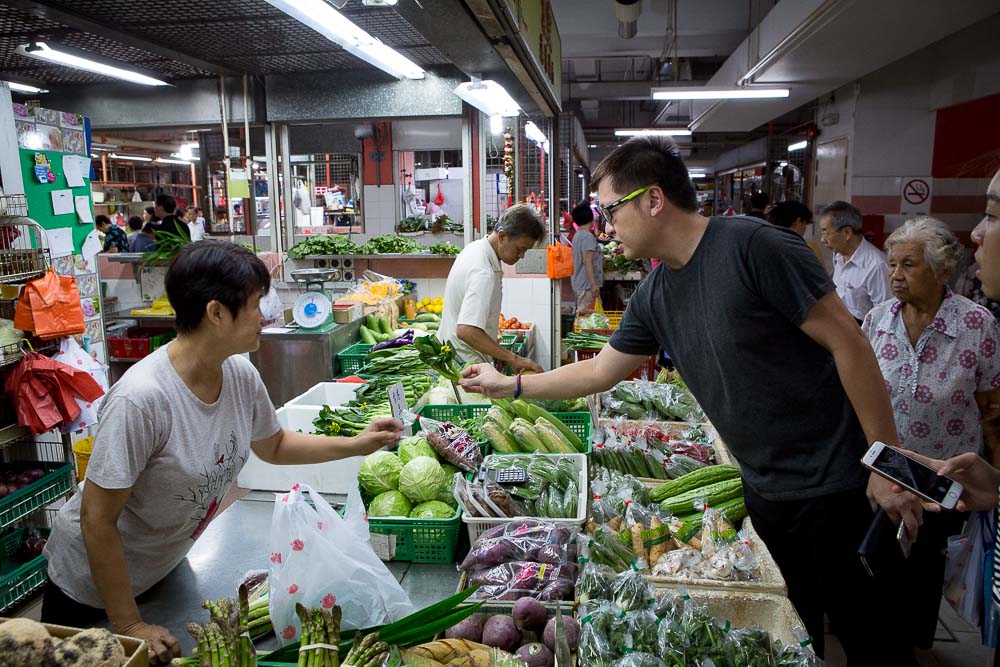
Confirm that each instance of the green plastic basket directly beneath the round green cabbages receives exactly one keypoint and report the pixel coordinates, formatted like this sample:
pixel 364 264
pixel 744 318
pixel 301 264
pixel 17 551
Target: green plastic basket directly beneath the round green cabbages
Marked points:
pixel 420 540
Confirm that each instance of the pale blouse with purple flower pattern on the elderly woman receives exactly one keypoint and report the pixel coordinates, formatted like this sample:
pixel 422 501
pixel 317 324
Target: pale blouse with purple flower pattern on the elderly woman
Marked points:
pixel 933 386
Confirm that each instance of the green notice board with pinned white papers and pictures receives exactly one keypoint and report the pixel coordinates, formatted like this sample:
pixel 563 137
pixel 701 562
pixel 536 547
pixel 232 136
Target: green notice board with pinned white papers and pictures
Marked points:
pixel 55 134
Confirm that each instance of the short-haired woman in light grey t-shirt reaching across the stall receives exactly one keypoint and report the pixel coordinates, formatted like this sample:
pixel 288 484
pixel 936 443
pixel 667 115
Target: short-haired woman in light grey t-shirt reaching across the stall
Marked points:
pixel 172 436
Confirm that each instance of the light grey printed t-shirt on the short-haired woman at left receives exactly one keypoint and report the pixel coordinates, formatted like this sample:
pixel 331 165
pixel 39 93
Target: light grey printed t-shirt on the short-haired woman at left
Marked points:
pixel 179 456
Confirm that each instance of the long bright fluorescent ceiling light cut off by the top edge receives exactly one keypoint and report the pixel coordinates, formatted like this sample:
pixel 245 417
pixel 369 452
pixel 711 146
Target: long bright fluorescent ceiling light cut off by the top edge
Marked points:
pixel 337 28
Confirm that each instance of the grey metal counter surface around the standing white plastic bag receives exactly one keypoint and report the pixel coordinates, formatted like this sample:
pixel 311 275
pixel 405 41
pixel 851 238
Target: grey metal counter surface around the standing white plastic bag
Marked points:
pixel 235 543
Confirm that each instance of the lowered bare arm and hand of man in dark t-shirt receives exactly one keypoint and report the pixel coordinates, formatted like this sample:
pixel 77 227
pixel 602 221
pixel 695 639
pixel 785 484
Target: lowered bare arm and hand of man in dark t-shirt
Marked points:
pixel 831 325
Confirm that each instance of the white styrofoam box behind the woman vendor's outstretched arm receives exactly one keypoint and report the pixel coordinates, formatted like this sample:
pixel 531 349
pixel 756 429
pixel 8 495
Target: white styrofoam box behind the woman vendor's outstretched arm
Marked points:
pixel 332 477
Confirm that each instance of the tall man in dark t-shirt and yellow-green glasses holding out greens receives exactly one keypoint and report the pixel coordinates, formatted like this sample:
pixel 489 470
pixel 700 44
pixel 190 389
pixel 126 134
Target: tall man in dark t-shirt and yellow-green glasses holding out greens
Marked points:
pixel 740 305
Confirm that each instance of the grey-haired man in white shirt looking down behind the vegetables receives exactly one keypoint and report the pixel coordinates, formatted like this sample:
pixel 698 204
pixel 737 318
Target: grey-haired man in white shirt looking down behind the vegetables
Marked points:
pixel 470 322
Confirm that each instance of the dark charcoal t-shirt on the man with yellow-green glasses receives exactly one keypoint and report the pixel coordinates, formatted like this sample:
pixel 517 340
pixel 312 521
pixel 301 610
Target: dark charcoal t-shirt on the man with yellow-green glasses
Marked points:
pixel 730 320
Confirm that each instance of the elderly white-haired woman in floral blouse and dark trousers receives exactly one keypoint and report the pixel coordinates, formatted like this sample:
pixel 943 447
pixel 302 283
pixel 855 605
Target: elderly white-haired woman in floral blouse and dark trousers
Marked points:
pixel 938 354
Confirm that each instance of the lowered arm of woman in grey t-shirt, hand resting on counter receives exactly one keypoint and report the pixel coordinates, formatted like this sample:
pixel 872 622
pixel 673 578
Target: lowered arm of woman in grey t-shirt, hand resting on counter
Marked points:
pixel 99 513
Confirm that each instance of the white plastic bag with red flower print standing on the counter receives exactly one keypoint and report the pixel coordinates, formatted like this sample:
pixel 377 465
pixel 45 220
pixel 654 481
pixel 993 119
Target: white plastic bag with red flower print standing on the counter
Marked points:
pixel 320 560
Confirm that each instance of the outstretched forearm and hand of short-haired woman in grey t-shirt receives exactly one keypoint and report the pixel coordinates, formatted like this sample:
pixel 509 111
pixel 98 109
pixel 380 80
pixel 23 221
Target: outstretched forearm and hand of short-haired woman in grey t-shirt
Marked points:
pixel 293 448
